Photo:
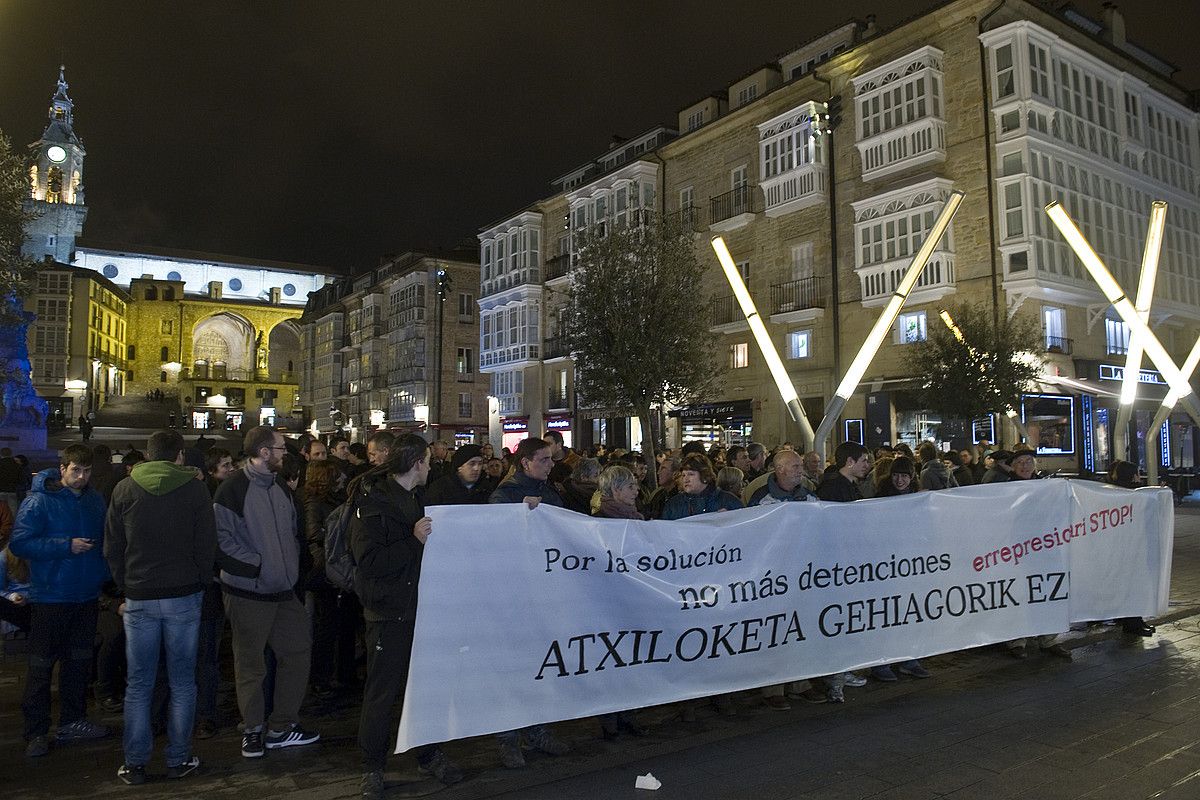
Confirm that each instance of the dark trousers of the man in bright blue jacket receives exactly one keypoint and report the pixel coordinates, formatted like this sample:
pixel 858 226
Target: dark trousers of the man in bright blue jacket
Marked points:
pixel 59 634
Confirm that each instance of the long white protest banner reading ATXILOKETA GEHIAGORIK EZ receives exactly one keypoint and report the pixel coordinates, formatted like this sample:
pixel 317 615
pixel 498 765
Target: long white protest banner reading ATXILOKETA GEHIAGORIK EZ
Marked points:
pixel 539 616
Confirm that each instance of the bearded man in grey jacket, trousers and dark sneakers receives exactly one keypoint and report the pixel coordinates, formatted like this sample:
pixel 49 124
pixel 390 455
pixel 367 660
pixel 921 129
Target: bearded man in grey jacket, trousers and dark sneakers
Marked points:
pixel 261 569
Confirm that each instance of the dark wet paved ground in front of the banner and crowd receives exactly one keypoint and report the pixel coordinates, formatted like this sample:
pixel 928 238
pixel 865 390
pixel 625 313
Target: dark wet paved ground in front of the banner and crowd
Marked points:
pixel 1121 721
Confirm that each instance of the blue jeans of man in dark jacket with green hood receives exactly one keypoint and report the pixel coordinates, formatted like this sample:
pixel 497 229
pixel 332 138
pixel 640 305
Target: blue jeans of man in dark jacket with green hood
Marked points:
pixel 173 625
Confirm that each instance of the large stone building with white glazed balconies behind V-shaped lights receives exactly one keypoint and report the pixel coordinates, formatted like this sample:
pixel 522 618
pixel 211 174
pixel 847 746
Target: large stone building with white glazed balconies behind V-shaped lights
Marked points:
pixel 1011 104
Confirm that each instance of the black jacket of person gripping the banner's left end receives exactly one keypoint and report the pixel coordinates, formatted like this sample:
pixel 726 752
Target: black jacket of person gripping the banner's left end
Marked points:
pixel 387 554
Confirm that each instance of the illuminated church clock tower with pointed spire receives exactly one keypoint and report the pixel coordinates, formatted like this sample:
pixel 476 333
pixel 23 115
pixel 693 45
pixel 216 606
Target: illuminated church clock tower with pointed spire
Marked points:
pixel 56 181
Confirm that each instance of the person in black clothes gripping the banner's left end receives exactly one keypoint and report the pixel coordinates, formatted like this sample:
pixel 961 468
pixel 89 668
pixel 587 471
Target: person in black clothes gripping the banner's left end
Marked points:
pixel 387 538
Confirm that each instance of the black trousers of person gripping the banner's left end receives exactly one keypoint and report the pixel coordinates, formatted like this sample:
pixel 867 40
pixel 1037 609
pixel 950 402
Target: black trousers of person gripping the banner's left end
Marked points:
pixel 389 647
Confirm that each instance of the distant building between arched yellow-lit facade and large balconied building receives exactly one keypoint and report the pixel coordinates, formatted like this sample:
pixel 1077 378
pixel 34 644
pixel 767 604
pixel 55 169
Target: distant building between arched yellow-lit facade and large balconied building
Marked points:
pixel 373 346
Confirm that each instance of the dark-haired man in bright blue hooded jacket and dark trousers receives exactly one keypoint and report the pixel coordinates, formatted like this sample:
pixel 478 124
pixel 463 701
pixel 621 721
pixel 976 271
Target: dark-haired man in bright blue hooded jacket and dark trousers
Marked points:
pixel 61 532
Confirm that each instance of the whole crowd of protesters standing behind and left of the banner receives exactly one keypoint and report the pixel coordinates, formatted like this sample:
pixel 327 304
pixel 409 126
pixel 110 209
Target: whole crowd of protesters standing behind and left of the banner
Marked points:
pixel 157 554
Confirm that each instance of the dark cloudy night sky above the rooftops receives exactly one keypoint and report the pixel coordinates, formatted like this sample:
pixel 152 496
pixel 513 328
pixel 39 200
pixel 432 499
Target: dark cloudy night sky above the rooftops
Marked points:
pixel 334 134
